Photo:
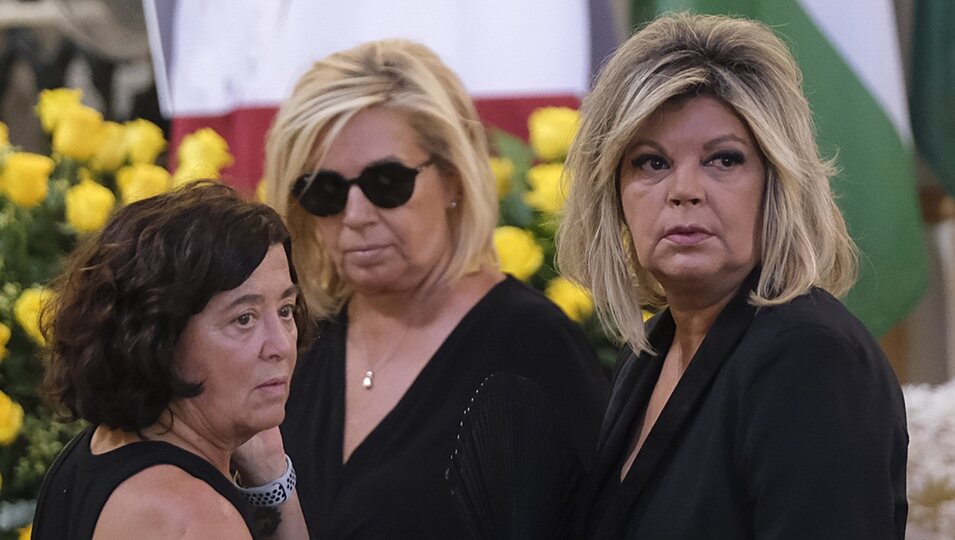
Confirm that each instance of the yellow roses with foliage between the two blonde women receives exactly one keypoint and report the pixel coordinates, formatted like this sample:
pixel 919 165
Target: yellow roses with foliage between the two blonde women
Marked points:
pixel 531 188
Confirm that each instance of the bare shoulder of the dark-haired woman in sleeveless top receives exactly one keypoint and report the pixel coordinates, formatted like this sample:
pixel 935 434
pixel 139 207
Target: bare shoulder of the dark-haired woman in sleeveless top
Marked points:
pixel 151 503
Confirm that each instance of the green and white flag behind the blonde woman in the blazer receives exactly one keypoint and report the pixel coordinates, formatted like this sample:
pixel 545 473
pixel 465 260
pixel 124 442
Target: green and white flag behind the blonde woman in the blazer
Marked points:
pixel 848 52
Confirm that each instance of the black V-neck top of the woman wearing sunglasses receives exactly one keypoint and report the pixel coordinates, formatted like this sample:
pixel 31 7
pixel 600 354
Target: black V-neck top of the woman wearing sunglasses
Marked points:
pixel 394 485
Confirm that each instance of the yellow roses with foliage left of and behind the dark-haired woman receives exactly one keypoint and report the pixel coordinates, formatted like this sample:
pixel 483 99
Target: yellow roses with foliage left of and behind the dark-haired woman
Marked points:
pixel 47 204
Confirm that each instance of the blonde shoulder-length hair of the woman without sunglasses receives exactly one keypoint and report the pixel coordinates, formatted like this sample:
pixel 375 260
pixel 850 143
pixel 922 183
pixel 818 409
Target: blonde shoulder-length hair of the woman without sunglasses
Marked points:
pixel 743 64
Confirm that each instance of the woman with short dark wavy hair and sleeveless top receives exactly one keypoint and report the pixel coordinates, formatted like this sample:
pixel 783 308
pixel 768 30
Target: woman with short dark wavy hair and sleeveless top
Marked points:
pixel 174 334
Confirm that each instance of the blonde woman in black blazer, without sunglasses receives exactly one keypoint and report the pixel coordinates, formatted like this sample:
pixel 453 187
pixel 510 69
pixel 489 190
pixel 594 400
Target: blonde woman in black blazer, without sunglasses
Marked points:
pixel 756 406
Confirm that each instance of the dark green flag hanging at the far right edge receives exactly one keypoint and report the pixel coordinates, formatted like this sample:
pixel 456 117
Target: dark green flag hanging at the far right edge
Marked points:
pixel 932 94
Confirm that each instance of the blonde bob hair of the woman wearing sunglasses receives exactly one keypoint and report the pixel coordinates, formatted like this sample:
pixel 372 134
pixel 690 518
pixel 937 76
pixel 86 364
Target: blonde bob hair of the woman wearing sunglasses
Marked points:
pixel 403 76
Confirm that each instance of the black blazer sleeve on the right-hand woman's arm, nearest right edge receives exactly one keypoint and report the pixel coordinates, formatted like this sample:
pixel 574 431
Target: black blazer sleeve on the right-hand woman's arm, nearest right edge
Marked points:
pixel 823 440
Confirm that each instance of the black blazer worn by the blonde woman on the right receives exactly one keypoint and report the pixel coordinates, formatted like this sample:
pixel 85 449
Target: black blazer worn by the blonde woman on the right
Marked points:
pixel 788 423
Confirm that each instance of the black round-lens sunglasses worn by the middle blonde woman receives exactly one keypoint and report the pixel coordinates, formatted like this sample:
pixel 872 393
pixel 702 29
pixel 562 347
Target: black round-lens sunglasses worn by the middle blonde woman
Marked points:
pixel 387 185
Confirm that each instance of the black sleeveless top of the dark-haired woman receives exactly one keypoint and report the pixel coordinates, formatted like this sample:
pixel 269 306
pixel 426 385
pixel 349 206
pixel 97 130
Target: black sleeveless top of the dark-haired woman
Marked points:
pixel 78 483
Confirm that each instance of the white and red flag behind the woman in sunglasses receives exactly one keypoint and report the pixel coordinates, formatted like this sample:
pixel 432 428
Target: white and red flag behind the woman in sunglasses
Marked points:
pixel 228 64
